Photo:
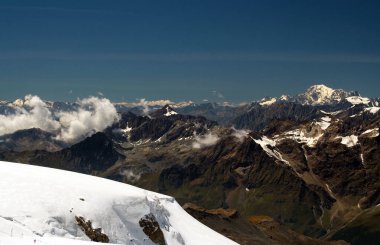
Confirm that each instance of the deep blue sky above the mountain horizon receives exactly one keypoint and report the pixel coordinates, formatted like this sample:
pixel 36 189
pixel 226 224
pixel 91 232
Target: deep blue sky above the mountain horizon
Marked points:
pixel 187 50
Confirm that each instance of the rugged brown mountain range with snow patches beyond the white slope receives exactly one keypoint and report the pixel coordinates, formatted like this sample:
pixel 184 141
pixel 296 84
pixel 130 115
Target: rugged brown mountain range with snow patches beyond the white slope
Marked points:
pixel 298 169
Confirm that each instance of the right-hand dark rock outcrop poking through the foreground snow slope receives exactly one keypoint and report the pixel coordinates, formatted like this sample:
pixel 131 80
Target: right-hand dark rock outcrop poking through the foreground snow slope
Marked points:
pixel 152 229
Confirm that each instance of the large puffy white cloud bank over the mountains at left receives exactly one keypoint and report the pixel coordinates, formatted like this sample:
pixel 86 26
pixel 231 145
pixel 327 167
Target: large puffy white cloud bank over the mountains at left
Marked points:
pixel 92 115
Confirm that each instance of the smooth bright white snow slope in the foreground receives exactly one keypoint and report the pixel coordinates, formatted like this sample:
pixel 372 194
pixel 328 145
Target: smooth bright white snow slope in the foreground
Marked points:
pixel 42 203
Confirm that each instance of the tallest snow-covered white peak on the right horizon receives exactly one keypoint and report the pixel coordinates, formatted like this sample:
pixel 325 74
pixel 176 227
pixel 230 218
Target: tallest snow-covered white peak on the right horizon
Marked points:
pixel 321 95
